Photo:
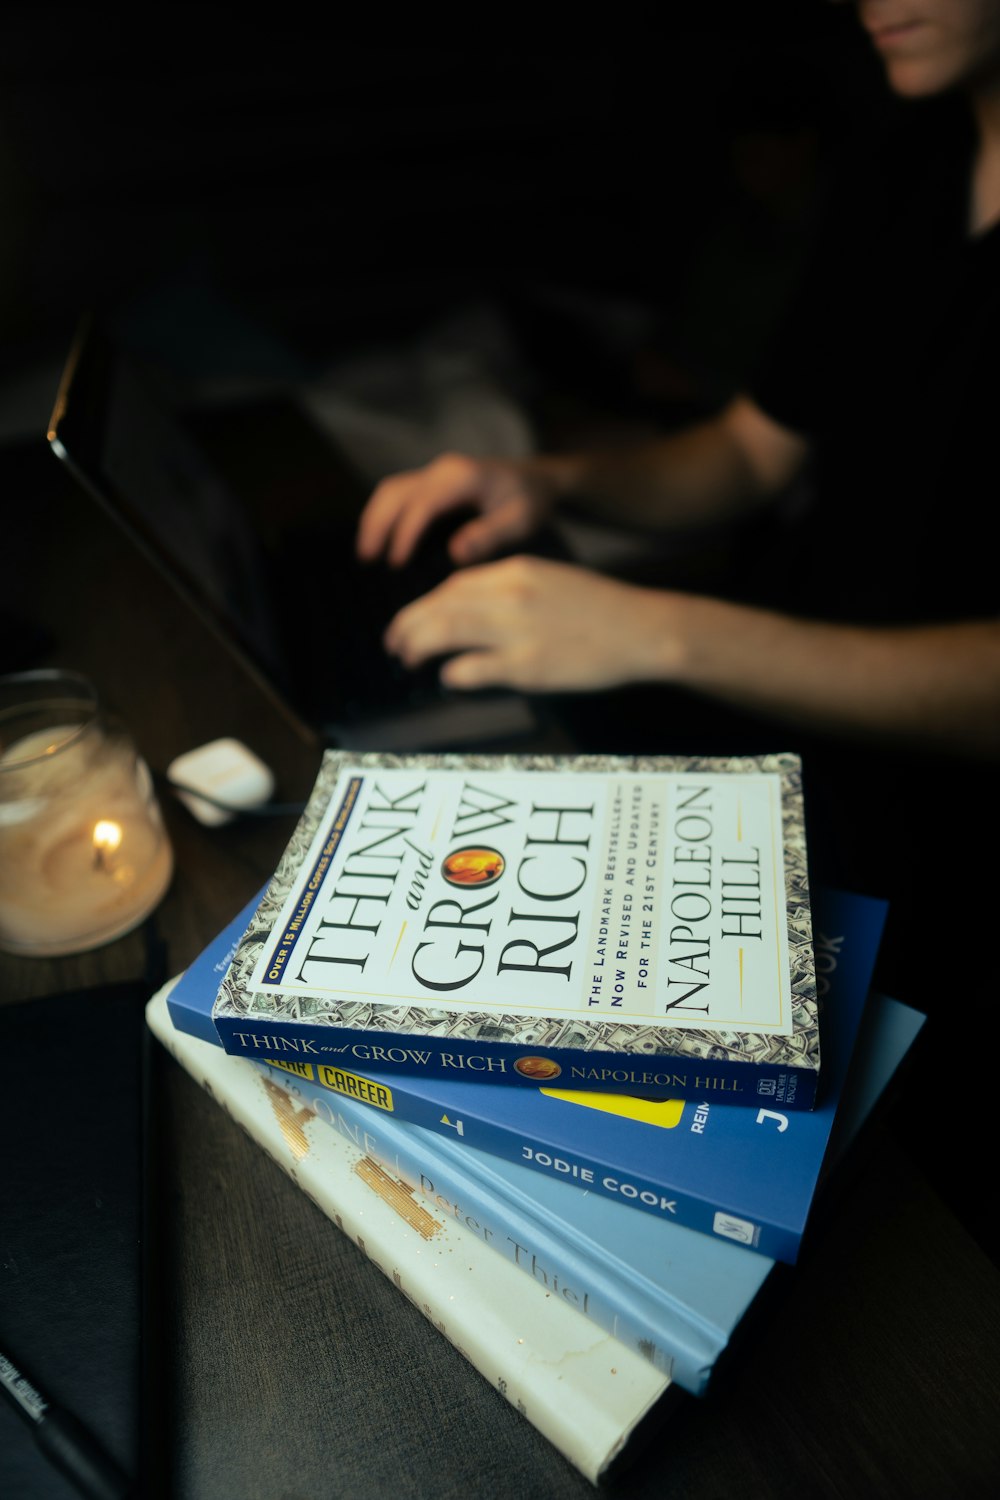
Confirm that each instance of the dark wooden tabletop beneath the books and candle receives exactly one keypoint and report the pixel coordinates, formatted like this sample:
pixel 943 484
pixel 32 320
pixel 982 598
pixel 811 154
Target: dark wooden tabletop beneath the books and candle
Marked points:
pixel 875 1372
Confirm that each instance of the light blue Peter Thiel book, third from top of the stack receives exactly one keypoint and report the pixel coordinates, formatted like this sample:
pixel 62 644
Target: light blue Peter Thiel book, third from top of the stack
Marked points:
pixel 663 1291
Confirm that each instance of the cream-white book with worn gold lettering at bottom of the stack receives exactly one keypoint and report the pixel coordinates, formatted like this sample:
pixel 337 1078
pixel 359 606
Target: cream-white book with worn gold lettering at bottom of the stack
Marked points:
pixel 581 1388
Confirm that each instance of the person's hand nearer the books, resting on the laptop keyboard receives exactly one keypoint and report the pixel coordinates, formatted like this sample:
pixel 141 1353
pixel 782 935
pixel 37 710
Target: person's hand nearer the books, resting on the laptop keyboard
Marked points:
pixel 537 626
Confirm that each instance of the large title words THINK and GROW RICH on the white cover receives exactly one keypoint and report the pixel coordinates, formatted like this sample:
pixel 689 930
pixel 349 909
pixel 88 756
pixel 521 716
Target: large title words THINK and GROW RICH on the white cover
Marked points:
pixel 536 914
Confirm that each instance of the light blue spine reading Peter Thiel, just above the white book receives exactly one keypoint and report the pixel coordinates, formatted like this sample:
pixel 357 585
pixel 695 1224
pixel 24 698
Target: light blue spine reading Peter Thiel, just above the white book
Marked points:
pixel 641 1316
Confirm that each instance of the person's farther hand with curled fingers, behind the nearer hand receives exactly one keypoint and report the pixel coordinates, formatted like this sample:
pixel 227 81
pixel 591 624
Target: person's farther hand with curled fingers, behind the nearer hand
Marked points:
pixel 512 499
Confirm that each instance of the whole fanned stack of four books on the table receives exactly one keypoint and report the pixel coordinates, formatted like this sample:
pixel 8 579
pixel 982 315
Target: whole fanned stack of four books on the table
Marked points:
pixel 563 1043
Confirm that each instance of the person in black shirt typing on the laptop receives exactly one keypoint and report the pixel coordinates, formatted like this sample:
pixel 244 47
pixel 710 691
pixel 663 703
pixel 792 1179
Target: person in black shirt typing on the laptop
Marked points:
pixel 884 625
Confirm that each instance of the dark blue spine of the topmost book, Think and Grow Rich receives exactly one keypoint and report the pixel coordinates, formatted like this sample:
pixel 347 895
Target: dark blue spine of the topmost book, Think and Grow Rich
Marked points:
pixel 407 1055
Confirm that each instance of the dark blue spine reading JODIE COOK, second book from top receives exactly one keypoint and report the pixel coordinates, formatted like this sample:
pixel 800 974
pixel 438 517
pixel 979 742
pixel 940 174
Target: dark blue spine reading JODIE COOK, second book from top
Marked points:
pixel 584 1172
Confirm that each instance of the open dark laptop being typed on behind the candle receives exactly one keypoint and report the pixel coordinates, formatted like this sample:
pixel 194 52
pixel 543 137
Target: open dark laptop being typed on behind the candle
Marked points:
pixel 272 574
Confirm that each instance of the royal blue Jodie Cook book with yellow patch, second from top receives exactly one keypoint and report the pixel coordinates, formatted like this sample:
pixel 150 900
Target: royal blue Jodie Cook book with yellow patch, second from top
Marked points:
pixel 747 1175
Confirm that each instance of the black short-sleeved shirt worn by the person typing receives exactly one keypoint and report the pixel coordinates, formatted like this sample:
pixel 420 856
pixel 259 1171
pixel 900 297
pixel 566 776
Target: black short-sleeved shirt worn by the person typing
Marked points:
pixel 890 364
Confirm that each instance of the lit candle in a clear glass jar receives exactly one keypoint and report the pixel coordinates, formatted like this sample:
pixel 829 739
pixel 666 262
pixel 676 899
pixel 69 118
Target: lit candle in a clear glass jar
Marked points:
pixel 83 851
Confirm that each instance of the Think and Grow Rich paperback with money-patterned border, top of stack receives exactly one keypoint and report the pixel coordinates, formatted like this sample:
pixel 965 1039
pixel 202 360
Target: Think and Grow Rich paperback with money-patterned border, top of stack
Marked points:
pixel 615 925
